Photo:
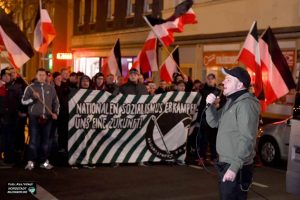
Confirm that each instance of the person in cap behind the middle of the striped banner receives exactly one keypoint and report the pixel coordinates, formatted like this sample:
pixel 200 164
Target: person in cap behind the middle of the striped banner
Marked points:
pixel 133 86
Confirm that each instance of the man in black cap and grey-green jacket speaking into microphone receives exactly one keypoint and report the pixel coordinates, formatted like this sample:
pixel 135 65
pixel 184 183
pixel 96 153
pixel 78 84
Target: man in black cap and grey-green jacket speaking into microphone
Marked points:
pixel 237 122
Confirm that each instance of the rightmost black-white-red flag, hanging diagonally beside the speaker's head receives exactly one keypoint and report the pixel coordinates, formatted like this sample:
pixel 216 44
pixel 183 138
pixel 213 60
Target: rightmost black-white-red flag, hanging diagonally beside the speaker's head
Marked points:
pixel 278 79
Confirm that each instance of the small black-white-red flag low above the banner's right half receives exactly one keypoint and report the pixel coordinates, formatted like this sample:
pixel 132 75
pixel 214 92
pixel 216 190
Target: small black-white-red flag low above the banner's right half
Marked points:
pixel 169 67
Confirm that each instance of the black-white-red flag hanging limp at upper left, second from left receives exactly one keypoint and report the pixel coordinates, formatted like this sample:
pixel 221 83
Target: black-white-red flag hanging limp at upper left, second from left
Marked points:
pixel 44 31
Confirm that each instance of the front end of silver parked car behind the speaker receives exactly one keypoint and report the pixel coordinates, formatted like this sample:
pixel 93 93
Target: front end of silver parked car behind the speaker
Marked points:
pixel 273 142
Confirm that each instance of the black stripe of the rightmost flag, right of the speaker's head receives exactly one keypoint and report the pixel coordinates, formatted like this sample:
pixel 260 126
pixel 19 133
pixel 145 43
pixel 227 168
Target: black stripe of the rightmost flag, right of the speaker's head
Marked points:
pixel 278 59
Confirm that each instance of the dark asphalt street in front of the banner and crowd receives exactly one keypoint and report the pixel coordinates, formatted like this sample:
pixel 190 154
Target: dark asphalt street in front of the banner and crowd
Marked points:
pixel 155 182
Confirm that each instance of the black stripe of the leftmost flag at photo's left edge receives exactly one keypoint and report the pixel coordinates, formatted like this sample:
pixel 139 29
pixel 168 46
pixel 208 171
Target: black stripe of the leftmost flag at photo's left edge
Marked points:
pixel 15 34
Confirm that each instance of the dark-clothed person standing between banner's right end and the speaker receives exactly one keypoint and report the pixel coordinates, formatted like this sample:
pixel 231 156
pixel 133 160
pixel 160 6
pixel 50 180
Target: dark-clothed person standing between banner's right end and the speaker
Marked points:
pixel 206 135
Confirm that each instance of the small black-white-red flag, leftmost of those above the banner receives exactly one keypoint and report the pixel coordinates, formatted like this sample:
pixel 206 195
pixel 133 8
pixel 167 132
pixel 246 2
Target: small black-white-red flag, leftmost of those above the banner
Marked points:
pixel 113 63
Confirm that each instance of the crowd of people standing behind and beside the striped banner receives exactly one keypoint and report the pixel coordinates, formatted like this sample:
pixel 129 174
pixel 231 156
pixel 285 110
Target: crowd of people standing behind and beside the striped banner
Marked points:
pixel 45 103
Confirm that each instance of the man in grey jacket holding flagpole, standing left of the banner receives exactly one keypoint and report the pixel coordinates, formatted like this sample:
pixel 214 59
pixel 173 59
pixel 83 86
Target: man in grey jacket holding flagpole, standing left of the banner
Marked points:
pixel 37 96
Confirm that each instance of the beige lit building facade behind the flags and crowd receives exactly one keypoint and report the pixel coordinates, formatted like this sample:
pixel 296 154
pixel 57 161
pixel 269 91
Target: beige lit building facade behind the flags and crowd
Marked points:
pixel 205 47
